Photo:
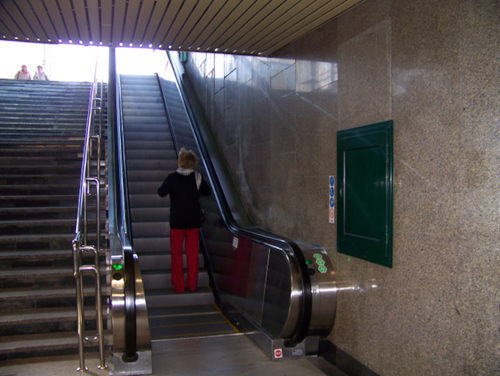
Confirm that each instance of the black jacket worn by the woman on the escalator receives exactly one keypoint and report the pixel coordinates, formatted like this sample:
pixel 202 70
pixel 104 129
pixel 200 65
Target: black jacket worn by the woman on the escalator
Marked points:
pixel 184 206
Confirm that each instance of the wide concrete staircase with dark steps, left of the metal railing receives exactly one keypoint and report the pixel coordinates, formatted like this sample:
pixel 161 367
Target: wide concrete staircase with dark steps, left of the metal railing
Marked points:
pixel 42 129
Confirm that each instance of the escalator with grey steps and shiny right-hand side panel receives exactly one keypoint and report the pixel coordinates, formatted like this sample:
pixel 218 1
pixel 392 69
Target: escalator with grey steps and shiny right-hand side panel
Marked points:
pixel 277 291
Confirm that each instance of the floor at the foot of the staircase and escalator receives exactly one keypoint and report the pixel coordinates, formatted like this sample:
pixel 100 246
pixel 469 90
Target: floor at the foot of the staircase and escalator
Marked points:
pixel 233 355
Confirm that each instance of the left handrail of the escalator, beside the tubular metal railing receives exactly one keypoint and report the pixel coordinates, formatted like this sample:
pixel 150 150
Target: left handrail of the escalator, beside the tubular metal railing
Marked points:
pixel 124 233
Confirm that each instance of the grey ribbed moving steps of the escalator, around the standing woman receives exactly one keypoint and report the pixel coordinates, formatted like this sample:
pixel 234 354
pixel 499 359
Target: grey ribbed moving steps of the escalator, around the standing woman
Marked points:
pixel 150 155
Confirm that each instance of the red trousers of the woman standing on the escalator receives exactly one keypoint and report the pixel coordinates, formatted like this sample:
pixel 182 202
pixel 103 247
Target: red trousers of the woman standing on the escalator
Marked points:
pixel 191 238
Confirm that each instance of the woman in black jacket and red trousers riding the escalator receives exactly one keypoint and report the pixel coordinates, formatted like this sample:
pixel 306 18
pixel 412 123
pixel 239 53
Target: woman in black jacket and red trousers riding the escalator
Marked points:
pixel 185 187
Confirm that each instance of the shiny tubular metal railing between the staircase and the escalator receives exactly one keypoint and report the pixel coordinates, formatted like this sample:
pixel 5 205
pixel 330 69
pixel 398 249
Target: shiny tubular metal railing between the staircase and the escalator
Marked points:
pixel 81 243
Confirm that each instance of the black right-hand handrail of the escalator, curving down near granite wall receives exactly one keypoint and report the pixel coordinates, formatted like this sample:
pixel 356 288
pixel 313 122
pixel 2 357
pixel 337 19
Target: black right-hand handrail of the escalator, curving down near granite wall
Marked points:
pixel 254 234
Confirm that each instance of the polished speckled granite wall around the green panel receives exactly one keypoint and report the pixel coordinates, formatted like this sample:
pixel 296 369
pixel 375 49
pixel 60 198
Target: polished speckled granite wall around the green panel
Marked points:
pixel 433 67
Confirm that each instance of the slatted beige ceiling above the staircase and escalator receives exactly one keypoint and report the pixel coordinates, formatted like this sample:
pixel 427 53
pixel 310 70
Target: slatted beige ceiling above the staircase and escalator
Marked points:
pixel 249 27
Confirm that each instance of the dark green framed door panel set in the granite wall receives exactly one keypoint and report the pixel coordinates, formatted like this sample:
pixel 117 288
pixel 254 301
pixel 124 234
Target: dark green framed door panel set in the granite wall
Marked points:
pixel 365 173
